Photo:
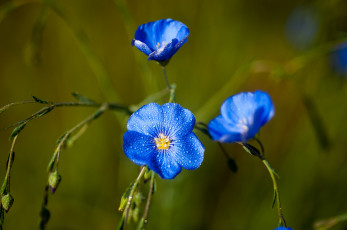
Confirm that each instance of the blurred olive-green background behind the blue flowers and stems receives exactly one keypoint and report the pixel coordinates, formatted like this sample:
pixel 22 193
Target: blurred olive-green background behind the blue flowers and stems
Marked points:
pixel 51 51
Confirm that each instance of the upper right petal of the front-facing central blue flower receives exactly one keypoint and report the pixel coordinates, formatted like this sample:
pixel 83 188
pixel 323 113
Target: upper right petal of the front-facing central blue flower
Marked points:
pixel 177 120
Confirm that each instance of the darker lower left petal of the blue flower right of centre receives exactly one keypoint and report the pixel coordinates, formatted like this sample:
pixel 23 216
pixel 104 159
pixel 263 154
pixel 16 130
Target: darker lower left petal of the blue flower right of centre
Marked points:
pixel 223 131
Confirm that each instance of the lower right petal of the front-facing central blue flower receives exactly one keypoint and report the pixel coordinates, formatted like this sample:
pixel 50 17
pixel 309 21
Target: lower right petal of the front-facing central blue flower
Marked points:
pixel 188 152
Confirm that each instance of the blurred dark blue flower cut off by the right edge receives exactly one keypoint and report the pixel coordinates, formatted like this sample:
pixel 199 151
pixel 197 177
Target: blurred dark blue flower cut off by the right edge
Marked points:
pixel 339 59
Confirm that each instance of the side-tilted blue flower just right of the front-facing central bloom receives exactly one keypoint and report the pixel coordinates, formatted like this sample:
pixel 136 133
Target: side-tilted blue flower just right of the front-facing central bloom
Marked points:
pixel 241 117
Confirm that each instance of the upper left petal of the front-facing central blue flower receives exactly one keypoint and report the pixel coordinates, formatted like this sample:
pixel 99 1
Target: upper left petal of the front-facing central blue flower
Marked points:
pixel 146 120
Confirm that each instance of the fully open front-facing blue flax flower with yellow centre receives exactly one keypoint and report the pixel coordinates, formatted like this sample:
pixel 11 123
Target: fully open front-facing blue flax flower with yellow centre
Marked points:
pixel 161 137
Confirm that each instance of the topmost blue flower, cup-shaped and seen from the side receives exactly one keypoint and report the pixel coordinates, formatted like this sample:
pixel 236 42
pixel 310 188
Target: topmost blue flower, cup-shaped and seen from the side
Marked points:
pixel 161 39
